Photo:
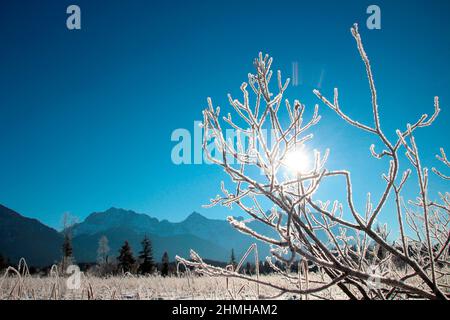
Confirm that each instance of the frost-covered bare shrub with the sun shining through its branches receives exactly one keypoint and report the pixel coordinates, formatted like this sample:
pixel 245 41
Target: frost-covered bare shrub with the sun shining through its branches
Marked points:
pixel 357 256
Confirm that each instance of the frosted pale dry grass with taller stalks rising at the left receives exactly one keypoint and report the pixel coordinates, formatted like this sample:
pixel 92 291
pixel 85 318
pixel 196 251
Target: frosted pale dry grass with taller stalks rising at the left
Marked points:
pixel 17 283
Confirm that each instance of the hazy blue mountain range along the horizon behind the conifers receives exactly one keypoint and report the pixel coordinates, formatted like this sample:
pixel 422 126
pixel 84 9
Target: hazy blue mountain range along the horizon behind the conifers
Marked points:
pixel 40 245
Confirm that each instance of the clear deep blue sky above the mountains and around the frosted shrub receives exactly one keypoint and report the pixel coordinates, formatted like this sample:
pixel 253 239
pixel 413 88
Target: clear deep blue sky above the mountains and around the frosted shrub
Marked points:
pixel 86 116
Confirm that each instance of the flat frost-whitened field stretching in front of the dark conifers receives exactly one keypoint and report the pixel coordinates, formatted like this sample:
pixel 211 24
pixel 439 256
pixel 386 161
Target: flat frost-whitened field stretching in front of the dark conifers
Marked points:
pixel 152 287
